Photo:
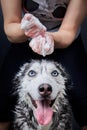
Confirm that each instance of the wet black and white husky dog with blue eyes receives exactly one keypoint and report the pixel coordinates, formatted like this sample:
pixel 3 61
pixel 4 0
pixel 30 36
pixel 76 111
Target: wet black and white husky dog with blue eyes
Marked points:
pixel 42 97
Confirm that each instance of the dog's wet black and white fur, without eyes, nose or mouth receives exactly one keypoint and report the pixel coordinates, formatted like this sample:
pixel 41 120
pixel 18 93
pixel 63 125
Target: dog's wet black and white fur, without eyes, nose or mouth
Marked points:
pixel 24 111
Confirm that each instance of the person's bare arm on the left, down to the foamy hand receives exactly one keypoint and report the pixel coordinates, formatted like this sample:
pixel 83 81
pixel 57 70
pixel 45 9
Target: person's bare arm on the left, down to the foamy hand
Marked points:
pixel 12 13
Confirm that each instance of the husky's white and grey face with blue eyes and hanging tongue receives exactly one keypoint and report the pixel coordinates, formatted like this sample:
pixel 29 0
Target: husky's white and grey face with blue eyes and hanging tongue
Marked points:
pixel 40 82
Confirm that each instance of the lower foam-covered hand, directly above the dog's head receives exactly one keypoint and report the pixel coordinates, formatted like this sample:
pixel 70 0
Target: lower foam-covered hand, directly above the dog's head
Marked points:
pixel 42 45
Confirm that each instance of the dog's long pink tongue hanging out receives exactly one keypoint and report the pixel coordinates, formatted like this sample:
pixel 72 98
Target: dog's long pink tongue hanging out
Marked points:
pixel 43 112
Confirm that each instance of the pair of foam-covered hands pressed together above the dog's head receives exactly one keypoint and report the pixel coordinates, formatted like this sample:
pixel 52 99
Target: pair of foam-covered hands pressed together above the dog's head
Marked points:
pixel 41 43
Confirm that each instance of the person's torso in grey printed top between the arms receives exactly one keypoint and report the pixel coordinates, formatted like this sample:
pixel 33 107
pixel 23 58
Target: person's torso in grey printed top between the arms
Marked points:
pixel 49 12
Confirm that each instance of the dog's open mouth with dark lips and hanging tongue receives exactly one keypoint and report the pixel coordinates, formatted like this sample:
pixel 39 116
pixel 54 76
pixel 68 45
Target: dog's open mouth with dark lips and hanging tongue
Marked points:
pixel 43 110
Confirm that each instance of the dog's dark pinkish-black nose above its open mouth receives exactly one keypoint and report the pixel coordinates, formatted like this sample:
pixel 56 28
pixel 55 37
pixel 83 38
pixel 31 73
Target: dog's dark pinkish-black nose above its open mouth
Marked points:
pixel 45 89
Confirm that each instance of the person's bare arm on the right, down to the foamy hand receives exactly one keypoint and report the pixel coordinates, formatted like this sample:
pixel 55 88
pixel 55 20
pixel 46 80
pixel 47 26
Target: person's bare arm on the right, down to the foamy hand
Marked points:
pixel 74 16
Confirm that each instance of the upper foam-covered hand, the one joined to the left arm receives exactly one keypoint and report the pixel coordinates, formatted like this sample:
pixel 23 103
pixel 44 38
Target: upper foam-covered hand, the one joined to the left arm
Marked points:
pixel 32 26
